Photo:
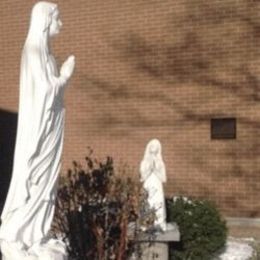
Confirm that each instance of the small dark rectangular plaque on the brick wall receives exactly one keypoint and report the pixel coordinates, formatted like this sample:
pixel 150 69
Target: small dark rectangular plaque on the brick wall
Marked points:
pixel 223 128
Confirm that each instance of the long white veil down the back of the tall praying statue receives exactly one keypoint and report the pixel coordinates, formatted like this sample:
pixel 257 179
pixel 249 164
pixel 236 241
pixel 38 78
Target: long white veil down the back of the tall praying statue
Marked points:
pixel 35 103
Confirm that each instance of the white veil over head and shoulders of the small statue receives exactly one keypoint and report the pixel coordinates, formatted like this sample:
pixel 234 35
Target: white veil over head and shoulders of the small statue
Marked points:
pixel 149 159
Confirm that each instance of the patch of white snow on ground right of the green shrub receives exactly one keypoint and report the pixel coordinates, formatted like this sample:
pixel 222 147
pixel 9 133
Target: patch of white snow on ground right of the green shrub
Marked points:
pixel 237 250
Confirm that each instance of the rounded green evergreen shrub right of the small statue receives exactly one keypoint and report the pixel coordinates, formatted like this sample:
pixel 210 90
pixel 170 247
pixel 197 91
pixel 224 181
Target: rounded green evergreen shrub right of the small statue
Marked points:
pixel 203 231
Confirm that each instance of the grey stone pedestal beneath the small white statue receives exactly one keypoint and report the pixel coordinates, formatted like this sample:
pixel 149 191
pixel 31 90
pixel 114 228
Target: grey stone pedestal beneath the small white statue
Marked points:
pixel 155 244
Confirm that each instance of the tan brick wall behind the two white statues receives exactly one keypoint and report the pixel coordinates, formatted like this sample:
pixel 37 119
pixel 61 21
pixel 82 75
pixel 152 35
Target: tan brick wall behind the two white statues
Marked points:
pixel 157 68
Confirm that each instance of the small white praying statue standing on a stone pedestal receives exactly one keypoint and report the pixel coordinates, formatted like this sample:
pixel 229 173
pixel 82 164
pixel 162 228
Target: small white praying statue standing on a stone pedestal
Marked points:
pixel 152 170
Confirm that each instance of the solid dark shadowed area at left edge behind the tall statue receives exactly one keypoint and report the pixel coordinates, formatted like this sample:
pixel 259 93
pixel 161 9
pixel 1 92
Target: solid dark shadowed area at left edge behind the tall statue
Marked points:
pixel 8 125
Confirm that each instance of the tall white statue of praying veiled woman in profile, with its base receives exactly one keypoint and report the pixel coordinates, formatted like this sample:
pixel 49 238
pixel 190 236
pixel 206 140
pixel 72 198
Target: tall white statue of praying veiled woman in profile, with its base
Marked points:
pixel 29 207
